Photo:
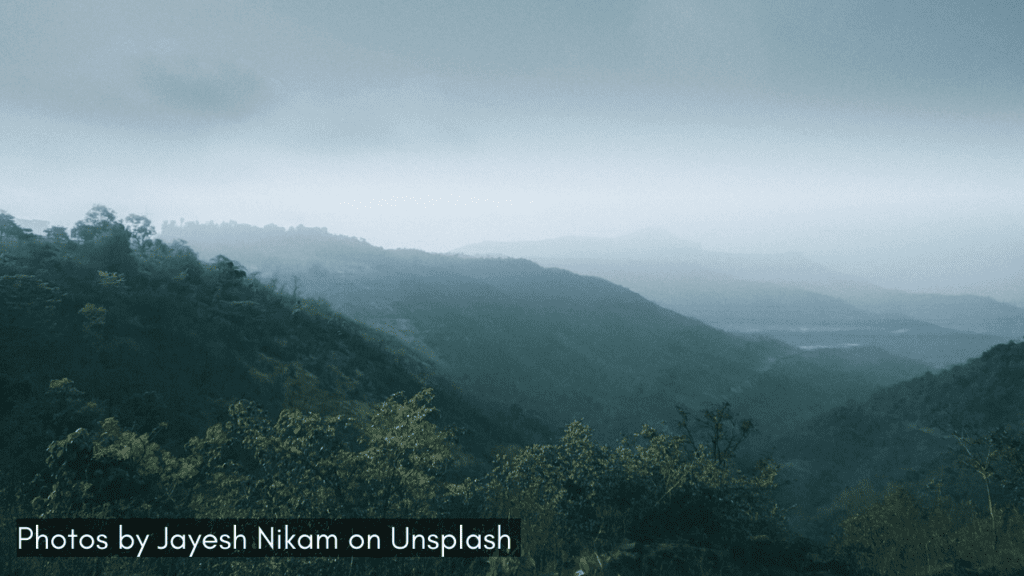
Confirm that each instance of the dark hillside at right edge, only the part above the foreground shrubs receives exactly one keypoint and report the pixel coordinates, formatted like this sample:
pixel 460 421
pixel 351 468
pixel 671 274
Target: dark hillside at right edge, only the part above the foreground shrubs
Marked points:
pixel 908 433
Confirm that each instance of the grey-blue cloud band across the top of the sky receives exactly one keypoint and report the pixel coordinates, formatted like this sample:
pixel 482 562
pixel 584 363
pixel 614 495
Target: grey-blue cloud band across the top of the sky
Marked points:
pixel 197 62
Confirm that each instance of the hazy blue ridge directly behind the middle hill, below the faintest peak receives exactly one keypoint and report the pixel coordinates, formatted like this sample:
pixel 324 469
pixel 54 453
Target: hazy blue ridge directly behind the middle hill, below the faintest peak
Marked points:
pixel 797 316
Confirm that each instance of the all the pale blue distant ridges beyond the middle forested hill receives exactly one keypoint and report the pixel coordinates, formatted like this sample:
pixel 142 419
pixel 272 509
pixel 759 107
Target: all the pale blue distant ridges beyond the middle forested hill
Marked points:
pixel 787 297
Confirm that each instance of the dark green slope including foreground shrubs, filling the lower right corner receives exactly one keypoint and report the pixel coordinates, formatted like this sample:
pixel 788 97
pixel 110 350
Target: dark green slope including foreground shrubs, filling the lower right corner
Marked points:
pixel 941 470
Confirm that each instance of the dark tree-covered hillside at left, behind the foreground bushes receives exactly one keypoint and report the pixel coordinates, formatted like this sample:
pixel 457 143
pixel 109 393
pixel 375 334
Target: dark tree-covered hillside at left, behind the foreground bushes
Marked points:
pixel 146 333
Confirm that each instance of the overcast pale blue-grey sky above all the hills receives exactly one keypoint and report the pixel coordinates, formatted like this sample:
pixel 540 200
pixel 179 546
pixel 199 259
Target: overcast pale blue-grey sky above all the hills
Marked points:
pixel 882 139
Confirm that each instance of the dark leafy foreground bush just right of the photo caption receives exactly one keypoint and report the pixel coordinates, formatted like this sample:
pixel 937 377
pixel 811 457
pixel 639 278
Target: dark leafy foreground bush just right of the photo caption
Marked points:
pixel 575 497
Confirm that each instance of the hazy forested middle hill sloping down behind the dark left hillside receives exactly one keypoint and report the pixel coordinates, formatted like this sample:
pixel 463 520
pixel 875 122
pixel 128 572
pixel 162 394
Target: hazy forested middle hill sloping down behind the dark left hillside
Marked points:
pixel 562 345
